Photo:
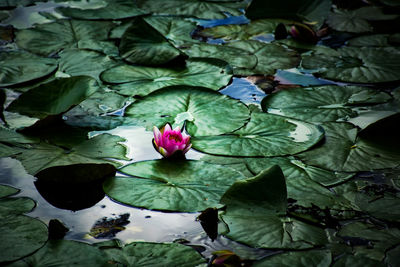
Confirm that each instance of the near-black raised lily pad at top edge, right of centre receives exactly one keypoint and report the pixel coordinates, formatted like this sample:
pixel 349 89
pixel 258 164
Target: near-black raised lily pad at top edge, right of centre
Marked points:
pixel 304 11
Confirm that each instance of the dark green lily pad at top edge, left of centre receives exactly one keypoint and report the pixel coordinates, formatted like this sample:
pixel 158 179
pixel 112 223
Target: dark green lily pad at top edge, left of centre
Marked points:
pixel 119 9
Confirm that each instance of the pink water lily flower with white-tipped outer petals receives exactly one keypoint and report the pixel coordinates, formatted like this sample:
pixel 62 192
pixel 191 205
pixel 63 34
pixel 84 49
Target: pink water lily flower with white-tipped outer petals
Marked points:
pixel 170 142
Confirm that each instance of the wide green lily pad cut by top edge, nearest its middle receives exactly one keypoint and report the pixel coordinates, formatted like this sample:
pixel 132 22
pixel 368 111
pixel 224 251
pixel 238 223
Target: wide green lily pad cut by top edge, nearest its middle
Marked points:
pixel 193 8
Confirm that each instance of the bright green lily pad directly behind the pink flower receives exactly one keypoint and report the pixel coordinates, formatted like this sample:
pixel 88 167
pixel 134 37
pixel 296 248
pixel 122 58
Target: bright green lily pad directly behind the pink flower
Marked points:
pixel 194 105
